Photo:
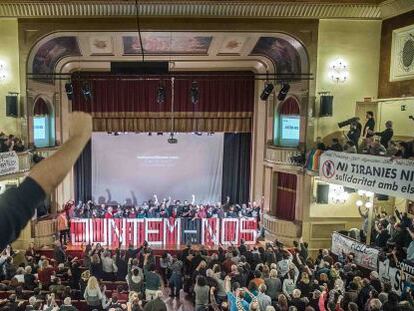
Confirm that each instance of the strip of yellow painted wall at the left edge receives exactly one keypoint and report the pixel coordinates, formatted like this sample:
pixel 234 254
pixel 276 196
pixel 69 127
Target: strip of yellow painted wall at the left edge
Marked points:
pixel 9 55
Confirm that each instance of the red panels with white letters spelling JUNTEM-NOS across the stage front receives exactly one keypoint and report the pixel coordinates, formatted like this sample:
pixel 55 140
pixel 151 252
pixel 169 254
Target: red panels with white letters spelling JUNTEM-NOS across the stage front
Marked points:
pixel 125 232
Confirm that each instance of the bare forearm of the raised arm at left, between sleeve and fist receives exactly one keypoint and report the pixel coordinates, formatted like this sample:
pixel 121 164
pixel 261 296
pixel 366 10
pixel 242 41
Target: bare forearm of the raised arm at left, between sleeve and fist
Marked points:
pixel 50 172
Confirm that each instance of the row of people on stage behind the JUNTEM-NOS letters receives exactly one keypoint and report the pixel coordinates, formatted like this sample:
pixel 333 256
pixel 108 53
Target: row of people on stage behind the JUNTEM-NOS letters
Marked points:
pixel 165 209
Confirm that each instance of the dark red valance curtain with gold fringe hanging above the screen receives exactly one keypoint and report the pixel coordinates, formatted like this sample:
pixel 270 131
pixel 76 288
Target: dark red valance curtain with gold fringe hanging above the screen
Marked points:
pixel 126 103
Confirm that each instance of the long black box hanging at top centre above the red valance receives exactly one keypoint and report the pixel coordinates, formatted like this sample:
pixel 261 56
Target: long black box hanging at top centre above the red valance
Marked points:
pixel 139 67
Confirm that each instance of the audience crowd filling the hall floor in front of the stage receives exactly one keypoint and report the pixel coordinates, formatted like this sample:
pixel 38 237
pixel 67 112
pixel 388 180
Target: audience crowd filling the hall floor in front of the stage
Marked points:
pixel 243 278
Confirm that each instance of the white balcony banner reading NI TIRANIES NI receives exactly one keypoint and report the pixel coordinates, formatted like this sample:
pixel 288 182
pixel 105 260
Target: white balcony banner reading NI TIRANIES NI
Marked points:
pixel 371 173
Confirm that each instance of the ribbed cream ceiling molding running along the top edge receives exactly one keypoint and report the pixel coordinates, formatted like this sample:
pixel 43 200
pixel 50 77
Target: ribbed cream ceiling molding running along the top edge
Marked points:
pixel 176 8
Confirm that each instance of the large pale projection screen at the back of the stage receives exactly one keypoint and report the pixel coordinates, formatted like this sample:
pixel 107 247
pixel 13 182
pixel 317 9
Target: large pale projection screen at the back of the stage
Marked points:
pixel 137 166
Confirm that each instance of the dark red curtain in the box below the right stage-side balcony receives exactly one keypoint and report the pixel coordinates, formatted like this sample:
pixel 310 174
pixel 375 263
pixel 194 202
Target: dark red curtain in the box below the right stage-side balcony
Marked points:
pixel 286 196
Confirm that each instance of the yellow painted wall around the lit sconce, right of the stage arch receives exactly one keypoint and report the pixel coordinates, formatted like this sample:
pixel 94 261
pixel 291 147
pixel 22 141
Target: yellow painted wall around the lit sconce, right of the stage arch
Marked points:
pixel 357 43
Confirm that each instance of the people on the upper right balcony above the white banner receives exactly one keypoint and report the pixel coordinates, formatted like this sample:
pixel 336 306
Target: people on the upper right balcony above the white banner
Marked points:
pixel 366 141
